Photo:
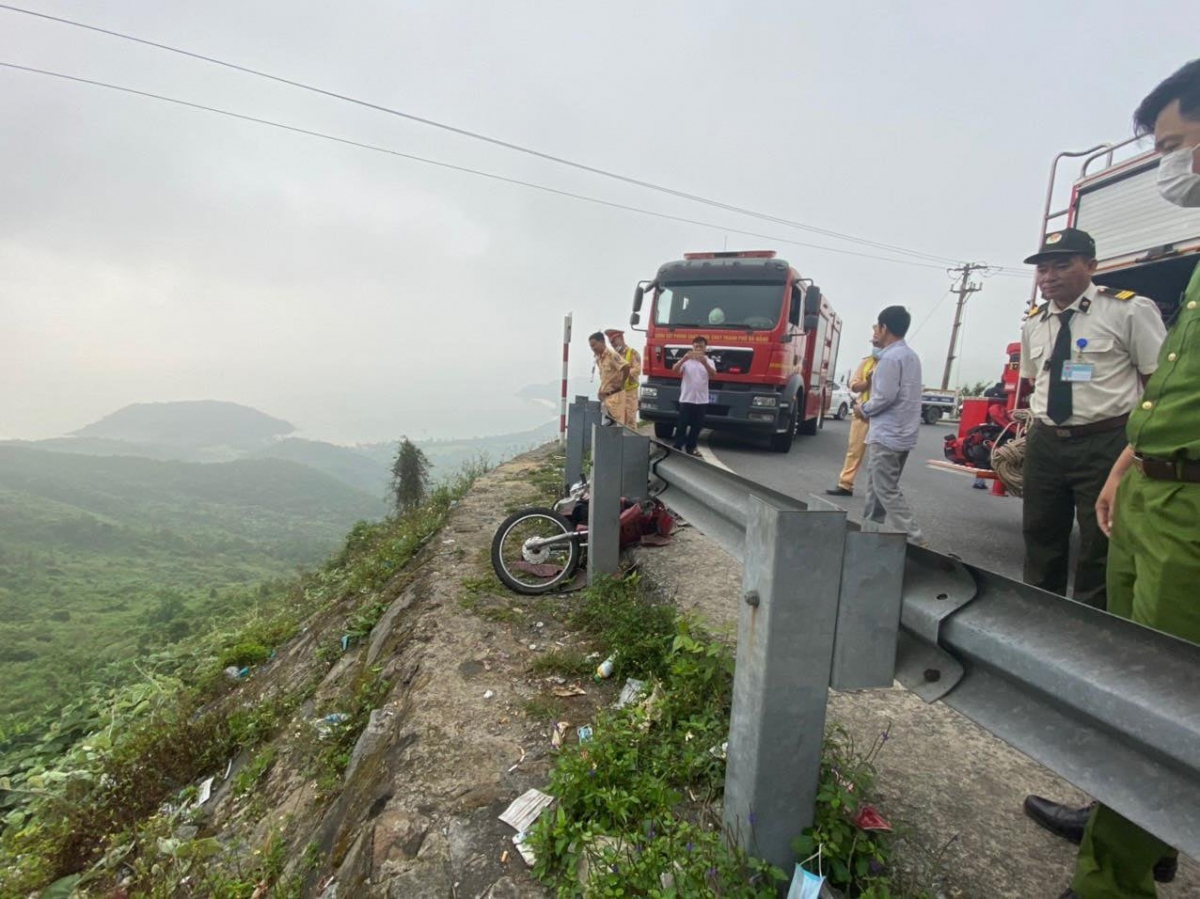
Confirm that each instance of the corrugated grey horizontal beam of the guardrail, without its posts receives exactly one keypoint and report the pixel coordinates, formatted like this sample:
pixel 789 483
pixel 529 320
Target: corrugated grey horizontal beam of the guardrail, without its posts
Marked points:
pixel 1109 705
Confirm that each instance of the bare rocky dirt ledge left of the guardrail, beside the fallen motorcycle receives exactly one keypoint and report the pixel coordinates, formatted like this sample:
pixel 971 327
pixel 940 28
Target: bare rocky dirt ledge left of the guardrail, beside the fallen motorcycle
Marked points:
pixel 417 812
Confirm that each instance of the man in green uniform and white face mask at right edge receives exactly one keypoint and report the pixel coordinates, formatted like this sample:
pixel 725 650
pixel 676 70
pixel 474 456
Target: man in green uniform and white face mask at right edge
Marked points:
pixel 1151 502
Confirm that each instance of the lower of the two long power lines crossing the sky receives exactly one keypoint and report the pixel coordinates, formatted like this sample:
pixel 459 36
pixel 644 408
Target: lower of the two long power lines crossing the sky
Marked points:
pixel 453 167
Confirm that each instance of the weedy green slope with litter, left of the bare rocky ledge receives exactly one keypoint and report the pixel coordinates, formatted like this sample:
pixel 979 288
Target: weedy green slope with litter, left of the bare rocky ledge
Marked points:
pixel 112 788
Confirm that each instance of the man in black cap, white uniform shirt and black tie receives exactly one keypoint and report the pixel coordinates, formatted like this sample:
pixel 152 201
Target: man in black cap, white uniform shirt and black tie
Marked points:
pixel 1088 351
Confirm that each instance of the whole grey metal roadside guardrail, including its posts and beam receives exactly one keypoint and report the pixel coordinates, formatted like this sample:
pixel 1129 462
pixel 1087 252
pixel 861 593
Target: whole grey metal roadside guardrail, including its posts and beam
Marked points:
pixel 1111 706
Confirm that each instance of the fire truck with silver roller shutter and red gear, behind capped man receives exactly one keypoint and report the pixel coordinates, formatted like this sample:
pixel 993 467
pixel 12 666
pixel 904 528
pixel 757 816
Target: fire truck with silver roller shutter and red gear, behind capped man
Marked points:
pixel 1143 244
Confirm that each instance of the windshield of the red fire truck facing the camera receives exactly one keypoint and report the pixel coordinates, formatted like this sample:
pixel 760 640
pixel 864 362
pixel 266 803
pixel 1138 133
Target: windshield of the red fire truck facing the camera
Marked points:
pixel 753 307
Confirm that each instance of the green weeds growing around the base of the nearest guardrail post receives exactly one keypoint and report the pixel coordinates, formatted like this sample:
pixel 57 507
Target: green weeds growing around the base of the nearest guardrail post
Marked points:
pixel 637 811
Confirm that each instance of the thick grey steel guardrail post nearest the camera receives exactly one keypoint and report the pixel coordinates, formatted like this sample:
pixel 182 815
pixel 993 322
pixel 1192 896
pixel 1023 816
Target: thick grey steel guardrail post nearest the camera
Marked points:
pixel 787 622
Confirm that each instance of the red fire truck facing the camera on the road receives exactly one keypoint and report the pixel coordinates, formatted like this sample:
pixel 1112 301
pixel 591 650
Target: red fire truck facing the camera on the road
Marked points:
pixel 772 338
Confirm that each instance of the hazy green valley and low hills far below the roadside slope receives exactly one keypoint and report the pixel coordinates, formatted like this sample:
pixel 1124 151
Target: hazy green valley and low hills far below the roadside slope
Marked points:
pixel 109 560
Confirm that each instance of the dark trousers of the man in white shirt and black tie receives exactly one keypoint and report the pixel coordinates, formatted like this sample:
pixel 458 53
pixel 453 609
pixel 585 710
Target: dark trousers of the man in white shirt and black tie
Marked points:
pixel 1064 477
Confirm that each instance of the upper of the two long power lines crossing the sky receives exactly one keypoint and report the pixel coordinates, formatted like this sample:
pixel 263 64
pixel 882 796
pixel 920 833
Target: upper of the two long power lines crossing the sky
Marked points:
pixel 487 139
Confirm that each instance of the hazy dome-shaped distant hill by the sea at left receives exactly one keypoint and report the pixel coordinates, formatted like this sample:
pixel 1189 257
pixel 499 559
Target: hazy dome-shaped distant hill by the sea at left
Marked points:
pixel 202 423
